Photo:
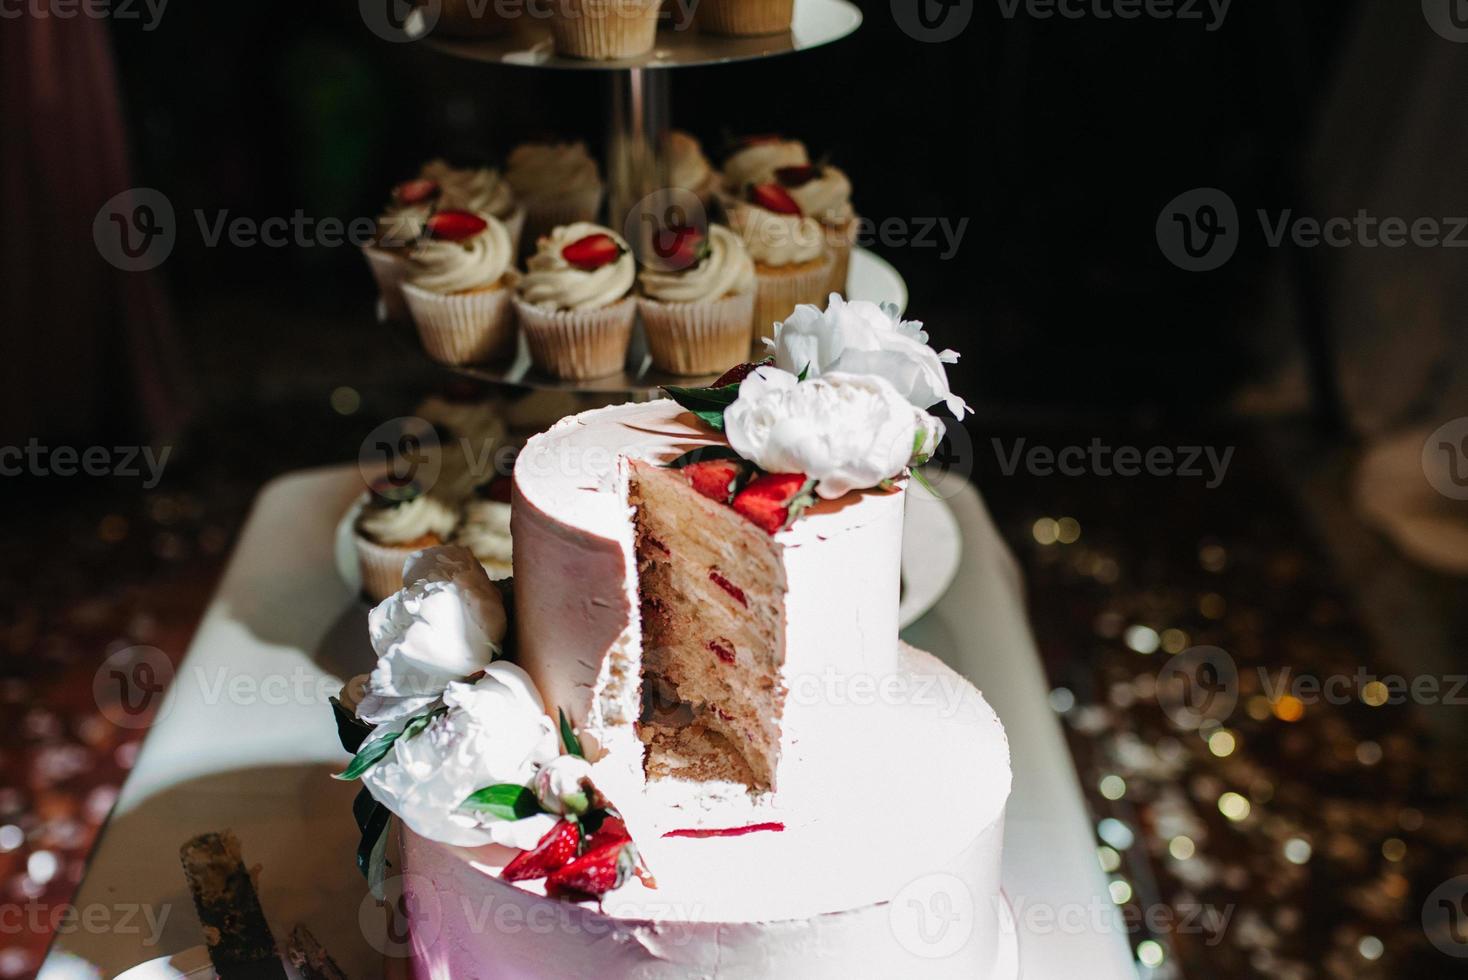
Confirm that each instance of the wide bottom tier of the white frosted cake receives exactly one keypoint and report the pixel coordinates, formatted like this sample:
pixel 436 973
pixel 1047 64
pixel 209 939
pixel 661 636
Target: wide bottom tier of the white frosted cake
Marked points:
pixel 918 797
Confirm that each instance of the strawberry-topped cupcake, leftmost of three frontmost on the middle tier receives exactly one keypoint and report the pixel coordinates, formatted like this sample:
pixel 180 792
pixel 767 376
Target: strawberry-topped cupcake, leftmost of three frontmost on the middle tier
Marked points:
pixel 459 288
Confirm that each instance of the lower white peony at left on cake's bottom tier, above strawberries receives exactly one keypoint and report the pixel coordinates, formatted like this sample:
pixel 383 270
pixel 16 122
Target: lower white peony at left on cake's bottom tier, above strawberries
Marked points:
pixel 495 731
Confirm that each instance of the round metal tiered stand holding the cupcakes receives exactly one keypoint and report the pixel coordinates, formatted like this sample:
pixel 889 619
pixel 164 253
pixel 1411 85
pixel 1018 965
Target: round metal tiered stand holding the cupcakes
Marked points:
pixel 638 95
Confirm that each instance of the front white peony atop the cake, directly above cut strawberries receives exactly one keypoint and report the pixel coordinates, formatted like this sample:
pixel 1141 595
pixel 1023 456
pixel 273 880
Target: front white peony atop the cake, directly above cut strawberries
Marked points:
pixel 848 432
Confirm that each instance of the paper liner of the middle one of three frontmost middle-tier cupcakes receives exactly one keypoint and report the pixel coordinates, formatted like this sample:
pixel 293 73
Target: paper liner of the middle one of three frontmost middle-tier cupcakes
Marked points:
pixel 578 345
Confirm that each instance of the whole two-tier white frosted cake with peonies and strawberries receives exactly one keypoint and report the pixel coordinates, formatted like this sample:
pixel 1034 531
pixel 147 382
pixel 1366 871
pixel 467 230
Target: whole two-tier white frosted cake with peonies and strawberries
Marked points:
pixel 751 775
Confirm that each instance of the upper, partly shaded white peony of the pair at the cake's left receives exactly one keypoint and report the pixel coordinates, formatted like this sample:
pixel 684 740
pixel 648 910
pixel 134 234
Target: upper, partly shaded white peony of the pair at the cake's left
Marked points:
pixel 444 626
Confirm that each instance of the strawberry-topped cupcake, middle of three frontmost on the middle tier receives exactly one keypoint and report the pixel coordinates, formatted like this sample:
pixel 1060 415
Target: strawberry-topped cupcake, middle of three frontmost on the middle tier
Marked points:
pixel 575 304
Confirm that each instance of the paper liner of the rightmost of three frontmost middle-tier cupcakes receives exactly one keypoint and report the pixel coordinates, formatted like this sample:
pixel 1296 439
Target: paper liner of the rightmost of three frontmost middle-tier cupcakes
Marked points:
pixel 698 338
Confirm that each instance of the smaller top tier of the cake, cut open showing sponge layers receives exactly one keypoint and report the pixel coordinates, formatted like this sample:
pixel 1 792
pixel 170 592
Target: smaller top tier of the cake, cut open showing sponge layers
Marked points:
pixel 748 621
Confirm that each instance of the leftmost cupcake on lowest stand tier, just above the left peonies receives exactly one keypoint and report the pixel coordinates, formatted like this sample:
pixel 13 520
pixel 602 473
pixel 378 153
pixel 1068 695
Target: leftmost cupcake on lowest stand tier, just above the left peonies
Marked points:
pixel 397 522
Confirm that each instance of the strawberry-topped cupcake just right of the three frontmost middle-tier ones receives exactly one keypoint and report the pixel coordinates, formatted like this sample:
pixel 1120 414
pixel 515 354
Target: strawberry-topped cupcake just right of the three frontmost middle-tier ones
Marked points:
pixel 792 263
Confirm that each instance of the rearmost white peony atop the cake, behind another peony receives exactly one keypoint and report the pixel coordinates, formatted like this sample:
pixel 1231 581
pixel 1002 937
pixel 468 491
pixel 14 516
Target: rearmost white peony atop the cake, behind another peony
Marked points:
pixel 862 338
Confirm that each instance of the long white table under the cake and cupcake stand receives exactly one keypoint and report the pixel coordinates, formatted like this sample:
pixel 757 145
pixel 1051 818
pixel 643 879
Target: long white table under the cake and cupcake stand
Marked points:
pixel 244 740
